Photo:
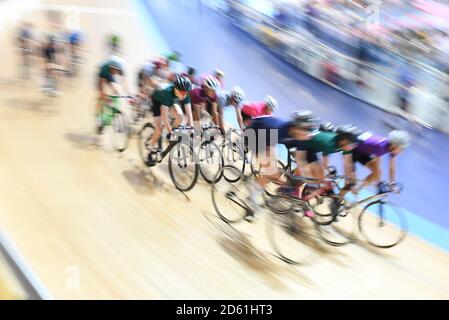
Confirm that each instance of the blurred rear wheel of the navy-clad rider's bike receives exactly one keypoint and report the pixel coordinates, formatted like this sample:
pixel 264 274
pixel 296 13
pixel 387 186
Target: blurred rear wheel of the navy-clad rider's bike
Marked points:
pixel 230 199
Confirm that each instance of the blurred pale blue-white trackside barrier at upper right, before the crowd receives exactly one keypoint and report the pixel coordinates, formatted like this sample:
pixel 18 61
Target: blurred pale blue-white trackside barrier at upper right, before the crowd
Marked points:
pixel 374 84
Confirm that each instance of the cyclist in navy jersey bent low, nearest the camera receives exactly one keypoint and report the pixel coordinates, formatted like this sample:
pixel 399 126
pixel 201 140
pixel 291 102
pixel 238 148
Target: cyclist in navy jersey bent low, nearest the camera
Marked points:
pixel 263 135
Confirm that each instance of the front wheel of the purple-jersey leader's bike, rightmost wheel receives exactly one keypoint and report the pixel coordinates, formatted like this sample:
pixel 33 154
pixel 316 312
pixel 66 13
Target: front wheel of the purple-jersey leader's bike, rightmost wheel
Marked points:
pixel 383 224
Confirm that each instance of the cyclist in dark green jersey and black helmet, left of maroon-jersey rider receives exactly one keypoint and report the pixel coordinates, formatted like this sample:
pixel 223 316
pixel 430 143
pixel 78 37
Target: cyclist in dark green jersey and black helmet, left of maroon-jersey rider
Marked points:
pixel 167 100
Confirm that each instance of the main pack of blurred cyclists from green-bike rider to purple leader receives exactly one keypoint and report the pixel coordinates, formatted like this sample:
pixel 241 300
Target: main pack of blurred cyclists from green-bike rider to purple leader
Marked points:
pixel 184 97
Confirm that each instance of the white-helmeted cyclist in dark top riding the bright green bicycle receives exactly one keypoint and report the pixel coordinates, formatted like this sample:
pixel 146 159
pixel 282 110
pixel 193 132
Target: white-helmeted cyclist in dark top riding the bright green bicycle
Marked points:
pixel 108 80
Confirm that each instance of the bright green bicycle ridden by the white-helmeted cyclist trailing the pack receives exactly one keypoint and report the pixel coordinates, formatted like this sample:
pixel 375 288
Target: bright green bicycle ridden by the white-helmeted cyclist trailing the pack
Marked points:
pixel 111 115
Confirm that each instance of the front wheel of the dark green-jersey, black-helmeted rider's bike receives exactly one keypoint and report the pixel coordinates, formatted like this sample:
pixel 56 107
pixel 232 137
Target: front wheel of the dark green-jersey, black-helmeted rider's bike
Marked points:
pixel 182 166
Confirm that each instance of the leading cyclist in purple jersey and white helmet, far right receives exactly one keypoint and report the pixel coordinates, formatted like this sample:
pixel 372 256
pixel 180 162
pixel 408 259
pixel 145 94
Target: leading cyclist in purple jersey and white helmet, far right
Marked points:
pixel 369 152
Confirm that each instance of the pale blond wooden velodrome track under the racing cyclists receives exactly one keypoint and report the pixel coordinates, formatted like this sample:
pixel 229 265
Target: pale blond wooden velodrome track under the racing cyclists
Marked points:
pixel 94 224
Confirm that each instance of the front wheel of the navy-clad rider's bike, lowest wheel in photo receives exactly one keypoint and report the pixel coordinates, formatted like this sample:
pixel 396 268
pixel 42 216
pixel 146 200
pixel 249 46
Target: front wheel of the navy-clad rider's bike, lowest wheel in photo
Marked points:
pixel 292 237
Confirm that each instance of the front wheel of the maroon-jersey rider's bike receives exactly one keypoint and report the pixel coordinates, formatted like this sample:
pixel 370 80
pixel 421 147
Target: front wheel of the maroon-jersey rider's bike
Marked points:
pixel 210 161
